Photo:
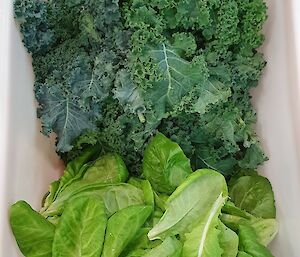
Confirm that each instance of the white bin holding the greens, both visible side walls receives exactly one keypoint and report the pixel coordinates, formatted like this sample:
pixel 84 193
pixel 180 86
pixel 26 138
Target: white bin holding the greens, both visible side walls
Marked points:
pixel 28 162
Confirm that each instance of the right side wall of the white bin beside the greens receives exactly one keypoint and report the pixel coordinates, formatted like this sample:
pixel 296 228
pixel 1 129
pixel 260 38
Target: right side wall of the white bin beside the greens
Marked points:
pixel 278 104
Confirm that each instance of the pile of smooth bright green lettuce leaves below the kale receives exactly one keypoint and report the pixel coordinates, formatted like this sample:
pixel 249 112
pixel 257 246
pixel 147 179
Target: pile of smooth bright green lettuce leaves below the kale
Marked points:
pixel 95 209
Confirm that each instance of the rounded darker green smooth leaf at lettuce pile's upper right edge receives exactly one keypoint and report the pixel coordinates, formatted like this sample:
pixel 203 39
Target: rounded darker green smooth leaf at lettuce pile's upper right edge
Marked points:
pixel 254 194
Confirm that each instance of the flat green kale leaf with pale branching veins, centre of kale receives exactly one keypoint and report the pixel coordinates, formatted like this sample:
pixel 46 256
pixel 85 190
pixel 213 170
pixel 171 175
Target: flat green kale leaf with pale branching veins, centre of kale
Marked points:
pixel 176 77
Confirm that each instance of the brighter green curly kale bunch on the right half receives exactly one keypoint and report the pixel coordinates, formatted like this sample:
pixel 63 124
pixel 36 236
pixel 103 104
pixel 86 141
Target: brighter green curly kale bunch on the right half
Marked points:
pixel 210 117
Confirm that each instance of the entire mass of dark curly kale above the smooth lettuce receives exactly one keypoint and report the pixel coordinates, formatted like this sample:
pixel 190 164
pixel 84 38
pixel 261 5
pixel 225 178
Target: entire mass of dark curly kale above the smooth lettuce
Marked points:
pixel 114 73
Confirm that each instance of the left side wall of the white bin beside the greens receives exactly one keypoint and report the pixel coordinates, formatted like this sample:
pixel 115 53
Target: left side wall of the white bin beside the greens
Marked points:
pixel 28 160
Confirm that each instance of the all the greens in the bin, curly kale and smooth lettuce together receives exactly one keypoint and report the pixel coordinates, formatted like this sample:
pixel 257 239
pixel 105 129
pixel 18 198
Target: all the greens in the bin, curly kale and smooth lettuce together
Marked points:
pixel 161 87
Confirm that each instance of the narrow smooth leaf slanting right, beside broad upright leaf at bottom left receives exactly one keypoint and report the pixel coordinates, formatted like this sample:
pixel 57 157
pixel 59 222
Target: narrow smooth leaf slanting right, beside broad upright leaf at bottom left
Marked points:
pixel 122 228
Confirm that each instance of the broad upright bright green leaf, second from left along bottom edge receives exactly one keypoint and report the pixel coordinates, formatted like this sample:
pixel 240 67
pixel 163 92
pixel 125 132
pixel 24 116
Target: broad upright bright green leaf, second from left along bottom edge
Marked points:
pixel 81 229
